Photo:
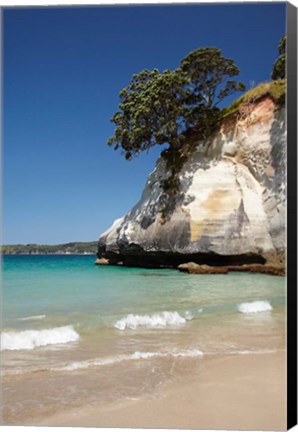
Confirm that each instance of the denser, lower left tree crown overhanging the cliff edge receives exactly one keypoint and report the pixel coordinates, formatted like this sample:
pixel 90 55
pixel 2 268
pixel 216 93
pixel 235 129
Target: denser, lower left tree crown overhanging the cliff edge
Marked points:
pixel 150 113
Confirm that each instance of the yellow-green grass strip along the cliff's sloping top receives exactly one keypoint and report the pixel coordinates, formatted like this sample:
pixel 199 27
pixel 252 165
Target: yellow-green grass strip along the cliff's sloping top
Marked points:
pixel 274 89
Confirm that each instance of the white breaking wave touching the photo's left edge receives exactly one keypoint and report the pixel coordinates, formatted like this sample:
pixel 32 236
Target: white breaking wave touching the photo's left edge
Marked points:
pixel 30 339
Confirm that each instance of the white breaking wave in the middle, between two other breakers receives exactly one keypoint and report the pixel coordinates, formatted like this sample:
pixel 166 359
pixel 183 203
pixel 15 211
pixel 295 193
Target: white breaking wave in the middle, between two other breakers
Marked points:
pixel 162 319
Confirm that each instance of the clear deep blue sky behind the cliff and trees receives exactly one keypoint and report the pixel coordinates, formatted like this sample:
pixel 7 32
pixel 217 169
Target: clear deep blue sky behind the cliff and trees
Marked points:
pixel 63 70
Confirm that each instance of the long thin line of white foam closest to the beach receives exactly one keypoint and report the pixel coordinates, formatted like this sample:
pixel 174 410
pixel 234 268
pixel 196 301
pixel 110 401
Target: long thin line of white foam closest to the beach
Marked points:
pixel 138 355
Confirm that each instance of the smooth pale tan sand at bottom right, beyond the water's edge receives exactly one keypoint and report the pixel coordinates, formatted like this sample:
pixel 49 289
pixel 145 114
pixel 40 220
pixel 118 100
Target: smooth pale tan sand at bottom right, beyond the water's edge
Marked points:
pixel 229 392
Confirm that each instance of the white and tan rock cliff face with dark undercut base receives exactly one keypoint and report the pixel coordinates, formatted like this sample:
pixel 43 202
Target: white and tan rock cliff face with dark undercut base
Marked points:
pixel 230 207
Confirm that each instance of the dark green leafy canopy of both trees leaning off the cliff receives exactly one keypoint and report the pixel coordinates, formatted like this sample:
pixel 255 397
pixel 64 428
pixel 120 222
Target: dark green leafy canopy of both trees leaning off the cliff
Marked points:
pixel 157 108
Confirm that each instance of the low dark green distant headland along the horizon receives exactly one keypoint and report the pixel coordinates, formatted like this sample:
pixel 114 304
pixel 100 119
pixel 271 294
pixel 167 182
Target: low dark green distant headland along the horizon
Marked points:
pixel 35 249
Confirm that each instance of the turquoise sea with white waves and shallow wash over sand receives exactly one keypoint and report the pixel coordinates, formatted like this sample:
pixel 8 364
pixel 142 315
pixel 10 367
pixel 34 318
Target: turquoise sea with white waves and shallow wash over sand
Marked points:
pixel 75 333
